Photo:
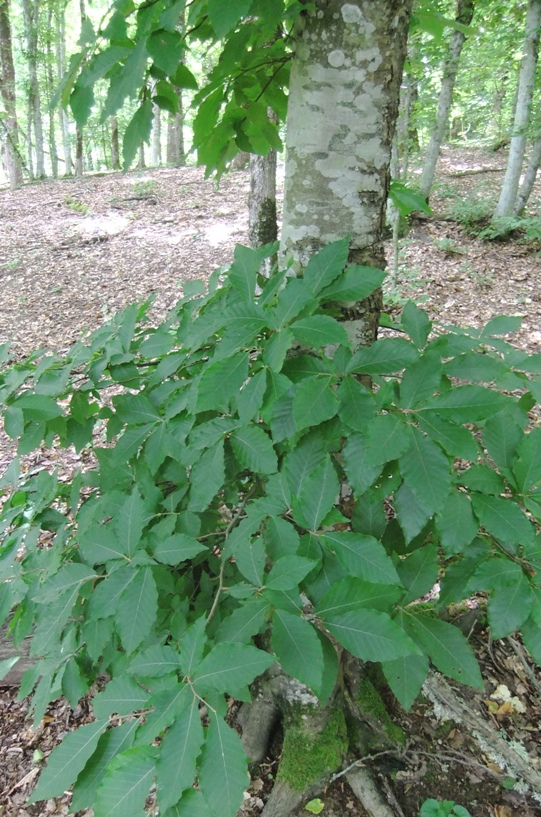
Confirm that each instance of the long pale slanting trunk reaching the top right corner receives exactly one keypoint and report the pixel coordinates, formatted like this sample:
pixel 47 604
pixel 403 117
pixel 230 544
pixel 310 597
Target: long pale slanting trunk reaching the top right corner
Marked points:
pixel 525 88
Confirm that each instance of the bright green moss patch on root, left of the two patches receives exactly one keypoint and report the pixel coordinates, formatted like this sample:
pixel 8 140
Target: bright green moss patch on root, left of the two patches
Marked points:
pixel 308 756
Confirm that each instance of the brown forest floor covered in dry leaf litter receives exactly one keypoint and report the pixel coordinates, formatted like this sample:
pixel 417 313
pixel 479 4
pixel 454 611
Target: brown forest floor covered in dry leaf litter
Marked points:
pixel 74 251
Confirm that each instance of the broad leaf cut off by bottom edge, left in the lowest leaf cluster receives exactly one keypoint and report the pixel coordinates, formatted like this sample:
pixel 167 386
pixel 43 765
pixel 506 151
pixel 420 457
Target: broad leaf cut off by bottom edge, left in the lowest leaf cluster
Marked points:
pixel 126 784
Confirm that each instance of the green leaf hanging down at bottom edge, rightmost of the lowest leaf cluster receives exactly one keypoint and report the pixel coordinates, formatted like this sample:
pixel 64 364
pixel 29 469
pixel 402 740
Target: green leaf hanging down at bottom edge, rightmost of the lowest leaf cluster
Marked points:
pixel 223 760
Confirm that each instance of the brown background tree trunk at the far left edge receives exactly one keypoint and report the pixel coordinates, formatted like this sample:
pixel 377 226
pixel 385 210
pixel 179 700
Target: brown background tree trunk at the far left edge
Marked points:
pixel 10 135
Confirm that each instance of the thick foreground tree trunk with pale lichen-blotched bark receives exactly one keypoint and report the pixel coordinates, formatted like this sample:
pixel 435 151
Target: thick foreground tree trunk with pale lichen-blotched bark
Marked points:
pixel 344 89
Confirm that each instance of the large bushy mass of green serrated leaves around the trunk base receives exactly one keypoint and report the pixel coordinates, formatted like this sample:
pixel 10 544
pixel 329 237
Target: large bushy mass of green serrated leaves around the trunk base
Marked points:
pixel 254 491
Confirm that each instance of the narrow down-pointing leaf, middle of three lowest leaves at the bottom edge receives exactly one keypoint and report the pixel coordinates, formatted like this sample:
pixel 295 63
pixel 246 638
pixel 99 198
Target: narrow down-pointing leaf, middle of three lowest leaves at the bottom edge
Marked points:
pixel 179 750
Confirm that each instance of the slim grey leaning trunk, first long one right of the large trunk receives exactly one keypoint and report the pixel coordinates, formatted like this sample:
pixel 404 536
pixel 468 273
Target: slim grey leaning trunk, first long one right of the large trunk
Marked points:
pixel 464 15
